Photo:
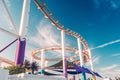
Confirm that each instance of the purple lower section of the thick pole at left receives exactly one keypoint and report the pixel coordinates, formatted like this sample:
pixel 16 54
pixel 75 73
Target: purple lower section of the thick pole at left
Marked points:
pixel 20 52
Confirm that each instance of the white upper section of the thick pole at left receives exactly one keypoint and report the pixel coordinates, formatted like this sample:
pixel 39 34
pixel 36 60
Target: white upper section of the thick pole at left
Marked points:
pixel 24 19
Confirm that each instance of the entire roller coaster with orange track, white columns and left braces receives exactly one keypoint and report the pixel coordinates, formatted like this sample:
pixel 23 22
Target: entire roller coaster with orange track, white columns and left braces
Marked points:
pixel 83 50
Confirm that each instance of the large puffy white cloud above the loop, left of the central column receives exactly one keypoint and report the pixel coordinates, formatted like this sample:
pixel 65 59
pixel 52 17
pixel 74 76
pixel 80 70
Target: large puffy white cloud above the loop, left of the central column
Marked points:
pixel 46 35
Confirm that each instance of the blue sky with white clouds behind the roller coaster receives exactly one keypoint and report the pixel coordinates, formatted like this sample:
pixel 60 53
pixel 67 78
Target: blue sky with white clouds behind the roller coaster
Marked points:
pixel 96 20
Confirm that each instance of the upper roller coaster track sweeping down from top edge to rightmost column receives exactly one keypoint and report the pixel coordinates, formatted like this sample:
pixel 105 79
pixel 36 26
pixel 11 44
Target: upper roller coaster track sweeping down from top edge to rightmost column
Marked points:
pixel 49 15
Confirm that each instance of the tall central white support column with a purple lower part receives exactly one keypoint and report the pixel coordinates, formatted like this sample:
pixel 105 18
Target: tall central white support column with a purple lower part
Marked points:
pixel 63 53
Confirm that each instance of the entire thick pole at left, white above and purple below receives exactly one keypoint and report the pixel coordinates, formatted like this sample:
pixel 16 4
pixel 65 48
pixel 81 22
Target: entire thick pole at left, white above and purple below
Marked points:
pixel 22 33
